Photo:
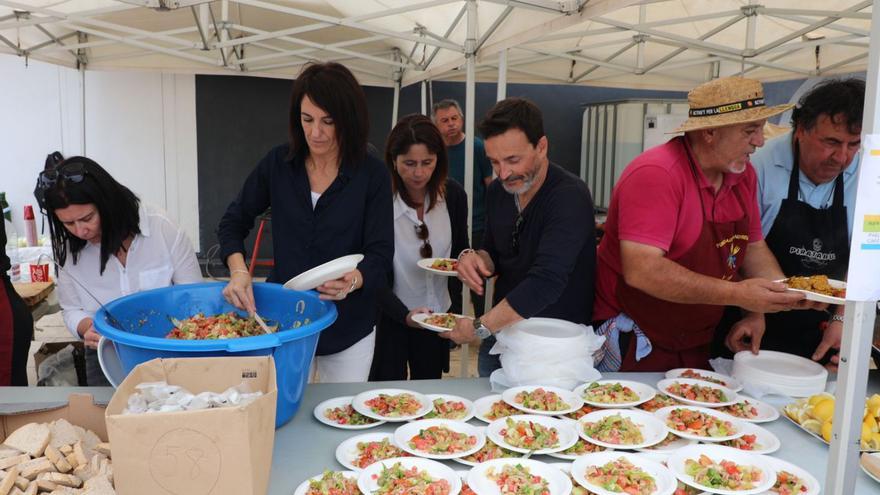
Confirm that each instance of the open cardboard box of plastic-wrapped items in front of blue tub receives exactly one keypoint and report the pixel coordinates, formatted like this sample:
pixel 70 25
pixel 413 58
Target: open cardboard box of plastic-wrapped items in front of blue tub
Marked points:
pixel 213 451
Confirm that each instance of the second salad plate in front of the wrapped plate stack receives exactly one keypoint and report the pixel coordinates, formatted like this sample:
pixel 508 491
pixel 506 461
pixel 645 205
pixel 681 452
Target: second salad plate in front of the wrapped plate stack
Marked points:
pixel 529 433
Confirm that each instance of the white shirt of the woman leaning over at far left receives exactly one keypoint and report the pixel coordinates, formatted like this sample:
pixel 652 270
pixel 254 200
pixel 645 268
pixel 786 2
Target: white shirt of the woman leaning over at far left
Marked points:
pixel 161 255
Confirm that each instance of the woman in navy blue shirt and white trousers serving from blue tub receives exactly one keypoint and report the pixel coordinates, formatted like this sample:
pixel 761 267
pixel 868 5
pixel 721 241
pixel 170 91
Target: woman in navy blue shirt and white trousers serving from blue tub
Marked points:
pixel 329 198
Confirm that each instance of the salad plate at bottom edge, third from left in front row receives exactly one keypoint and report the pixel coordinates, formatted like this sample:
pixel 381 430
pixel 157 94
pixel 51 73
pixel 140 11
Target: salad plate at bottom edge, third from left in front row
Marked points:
pixel 518 477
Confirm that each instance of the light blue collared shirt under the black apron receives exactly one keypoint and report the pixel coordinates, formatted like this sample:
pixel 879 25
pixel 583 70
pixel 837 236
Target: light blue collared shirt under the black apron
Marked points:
pixel 773 164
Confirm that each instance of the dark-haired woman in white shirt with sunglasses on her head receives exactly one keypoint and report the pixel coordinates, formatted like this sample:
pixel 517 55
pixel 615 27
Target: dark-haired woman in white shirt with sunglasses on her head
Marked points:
pixel 107 243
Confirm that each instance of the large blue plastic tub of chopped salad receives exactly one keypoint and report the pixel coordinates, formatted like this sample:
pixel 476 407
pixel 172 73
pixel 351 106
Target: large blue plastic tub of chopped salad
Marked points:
pixel 144 317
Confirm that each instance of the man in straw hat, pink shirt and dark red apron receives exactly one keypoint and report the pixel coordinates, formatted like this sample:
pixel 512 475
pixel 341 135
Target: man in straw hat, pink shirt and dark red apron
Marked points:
pixel 683 225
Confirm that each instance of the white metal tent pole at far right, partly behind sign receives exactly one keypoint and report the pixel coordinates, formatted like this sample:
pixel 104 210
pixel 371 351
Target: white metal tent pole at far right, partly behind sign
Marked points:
pixel 858 330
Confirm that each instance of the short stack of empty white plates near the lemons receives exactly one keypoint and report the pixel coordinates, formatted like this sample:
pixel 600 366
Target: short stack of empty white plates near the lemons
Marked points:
pixel 780 373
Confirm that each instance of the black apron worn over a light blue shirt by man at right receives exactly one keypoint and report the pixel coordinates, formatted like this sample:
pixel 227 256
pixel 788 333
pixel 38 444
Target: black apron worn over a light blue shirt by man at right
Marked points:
pixel 806 241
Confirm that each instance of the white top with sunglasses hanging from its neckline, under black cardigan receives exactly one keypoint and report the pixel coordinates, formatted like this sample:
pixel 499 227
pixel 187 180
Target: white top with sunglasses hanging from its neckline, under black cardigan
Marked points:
pixel 412 285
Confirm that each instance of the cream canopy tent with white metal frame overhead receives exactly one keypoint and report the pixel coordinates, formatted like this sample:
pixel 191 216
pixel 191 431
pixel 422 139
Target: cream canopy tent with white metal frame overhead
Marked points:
pixel 671 44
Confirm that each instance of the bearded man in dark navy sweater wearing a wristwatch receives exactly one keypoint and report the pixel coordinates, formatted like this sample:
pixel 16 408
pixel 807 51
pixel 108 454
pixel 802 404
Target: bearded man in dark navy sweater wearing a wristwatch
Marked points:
pixel 540 238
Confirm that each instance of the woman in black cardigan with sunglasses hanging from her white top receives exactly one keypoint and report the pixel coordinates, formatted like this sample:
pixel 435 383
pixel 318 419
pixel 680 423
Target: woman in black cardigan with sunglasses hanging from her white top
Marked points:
pixel 430 220
